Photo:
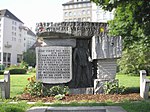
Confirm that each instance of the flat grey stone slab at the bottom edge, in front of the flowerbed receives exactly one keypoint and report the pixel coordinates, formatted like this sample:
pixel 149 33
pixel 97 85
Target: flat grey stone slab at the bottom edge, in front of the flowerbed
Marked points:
pixel 78 109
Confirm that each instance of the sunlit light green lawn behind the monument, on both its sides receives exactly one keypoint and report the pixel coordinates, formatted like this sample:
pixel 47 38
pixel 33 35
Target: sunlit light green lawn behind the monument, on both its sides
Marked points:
pixel 18 82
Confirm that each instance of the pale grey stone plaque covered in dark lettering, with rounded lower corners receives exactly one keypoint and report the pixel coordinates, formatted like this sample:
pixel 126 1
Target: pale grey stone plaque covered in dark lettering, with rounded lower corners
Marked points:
pixel 54 64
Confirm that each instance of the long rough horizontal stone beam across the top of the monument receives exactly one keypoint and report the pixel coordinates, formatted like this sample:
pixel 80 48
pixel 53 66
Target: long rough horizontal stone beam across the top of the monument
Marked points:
pixel 72 29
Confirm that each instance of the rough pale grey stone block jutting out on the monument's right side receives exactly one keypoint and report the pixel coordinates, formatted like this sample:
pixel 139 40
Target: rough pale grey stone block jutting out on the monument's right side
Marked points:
pixel 104 47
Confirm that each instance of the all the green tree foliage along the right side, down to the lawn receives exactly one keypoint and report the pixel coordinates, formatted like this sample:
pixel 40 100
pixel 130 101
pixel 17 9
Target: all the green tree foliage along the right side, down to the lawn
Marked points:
pixel 132 22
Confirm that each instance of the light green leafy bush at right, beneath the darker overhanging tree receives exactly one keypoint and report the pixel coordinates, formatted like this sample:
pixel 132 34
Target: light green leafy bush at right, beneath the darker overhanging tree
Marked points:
pixel 135 59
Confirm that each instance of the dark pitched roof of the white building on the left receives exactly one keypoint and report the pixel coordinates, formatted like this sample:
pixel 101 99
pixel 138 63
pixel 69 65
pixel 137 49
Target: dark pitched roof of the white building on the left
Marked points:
pixel 8 14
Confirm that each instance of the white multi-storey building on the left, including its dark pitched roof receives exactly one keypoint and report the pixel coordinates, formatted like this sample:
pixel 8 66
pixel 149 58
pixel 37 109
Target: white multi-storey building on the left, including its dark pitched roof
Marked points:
pixel 12 38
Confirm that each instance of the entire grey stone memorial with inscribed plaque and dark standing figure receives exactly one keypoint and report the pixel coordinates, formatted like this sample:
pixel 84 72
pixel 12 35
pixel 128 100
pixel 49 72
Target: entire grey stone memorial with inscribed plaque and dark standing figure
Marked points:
pixel 76 54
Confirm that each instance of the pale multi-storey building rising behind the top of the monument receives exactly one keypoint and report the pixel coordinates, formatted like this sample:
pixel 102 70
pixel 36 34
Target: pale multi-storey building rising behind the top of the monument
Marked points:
pixel 84 10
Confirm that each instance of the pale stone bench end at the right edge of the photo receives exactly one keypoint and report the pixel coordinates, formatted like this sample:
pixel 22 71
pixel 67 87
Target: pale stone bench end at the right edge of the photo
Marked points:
pixel 144 85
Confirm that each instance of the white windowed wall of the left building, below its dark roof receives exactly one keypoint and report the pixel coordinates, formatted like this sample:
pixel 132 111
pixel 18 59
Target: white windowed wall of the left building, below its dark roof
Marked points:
pixel 12 39
